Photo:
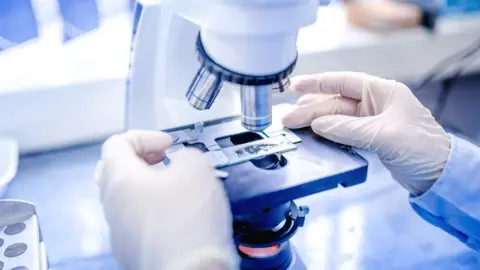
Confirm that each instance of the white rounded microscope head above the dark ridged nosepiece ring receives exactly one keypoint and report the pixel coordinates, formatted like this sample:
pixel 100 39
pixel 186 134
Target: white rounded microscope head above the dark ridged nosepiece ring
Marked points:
pixel 251 37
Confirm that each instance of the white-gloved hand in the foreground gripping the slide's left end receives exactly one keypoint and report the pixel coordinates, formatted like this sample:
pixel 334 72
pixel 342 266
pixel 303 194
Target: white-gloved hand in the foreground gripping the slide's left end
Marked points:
pixel 176 217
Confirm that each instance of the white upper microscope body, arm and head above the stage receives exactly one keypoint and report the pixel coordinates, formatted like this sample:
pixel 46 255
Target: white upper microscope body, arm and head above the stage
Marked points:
pixel 255 38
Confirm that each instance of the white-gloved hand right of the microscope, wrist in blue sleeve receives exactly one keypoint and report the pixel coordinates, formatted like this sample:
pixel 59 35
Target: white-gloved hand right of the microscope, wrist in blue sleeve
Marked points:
pixel 376 114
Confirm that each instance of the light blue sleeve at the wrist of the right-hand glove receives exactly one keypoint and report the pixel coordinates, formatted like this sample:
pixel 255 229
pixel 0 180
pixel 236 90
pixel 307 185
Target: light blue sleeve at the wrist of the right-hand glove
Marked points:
pixel 453 202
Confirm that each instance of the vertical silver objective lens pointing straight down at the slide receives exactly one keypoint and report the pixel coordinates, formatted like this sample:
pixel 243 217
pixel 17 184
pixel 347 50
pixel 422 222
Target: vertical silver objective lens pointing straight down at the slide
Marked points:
pixel 256 106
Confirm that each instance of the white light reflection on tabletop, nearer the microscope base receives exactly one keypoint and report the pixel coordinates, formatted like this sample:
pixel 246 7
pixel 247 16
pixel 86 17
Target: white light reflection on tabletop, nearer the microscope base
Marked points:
pixel 317 236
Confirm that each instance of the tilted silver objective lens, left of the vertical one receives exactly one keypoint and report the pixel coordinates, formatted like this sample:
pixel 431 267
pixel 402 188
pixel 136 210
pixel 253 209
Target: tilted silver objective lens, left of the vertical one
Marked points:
pixel 204 89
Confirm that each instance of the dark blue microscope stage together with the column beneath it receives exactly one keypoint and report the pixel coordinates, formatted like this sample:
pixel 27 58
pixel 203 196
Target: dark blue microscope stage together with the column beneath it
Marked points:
pixel 261 195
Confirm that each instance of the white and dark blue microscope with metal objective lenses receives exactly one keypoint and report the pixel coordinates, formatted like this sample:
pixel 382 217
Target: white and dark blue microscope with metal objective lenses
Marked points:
pixel 206 73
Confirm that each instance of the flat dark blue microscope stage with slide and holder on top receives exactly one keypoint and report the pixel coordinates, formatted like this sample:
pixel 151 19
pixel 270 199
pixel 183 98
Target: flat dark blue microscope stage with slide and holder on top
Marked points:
pixel 266 169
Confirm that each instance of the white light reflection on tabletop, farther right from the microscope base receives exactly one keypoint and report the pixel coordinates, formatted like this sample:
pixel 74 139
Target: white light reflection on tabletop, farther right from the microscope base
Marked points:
pixel 350 228
